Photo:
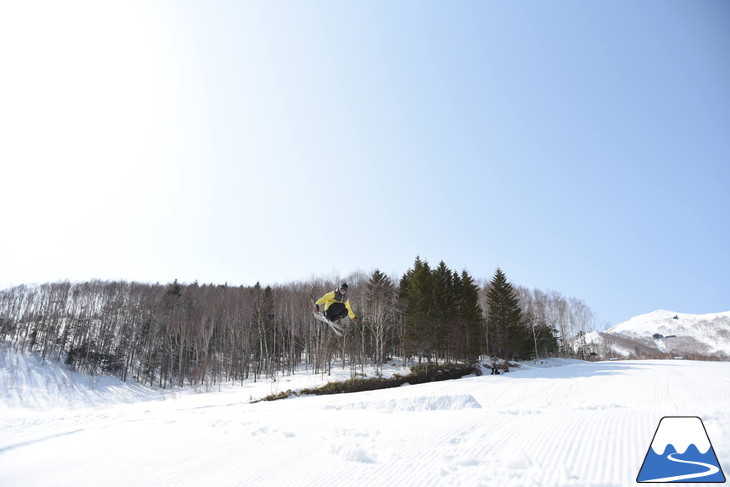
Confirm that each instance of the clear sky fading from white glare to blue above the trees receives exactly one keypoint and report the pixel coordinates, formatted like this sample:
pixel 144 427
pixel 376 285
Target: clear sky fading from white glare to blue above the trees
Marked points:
pixel 581 146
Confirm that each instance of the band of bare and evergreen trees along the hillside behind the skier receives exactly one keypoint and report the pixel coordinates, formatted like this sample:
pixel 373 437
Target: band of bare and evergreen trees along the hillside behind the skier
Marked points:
pixel 177 334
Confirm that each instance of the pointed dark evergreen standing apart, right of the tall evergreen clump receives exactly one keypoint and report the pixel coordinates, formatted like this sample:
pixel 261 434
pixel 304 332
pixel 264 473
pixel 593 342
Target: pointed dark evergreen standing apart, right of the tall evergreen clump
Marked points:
pixel 508 336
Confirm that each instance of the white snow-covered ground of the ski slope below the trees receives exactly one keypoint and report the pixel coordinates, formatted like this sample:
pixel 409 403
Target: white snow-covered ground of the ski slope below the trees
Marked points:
pixel 557 423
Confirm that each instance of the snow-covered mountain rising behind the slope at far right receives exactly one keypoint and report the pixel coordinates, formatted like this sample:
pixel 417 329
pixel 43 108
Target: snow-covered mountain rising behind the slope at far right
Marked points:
pixel 664 334
